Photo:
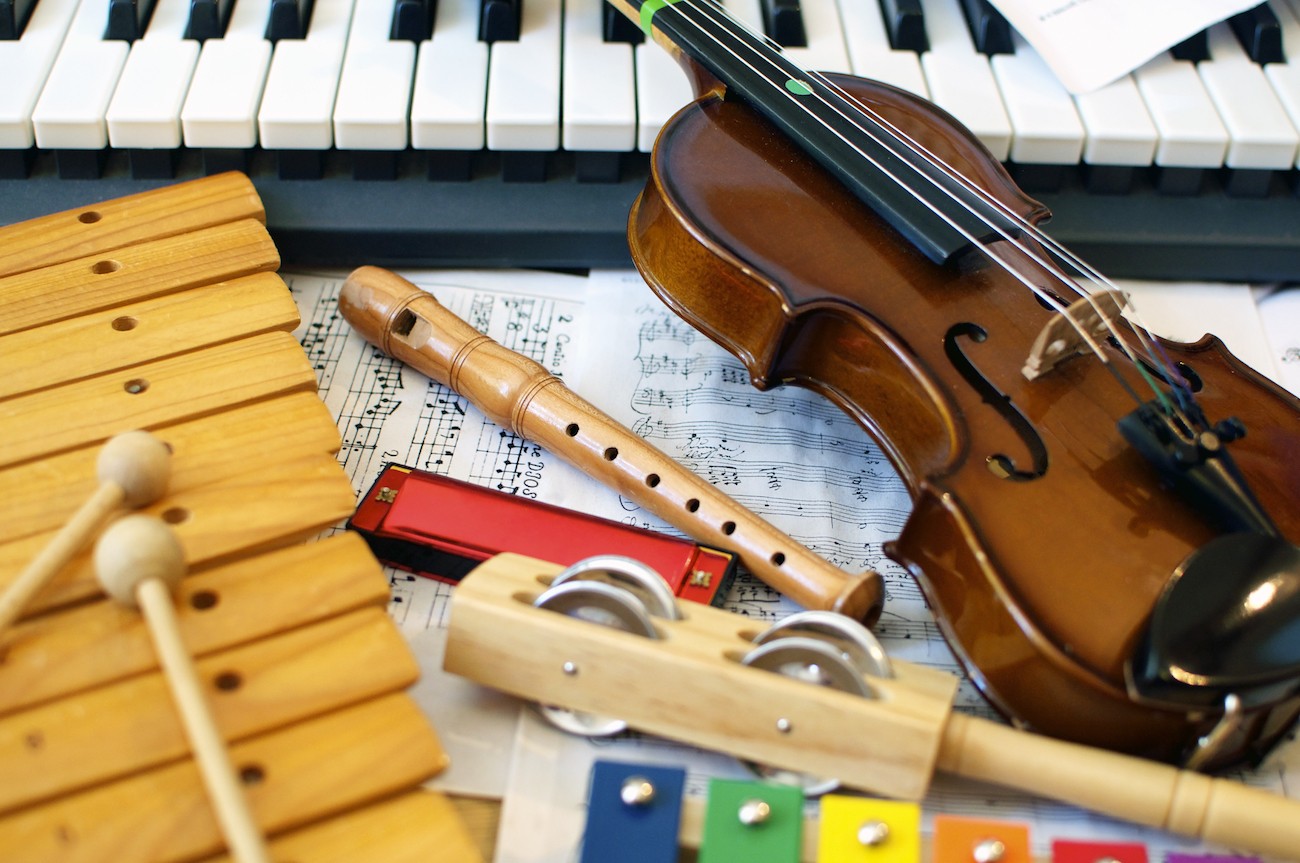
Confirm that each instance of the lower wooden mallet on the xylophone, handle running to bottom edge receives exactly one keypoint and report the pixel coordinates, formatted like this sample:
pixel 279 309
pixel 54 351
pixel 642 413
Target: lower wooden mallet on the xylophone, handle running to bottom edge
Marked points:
pixel 138 561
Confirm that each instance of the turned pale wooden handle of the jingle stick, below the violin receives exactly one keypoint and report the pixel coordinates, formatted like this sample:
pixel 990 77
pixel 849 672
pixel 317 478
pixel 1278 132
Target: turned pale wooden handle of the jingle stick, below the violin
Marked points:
pixel 1129 788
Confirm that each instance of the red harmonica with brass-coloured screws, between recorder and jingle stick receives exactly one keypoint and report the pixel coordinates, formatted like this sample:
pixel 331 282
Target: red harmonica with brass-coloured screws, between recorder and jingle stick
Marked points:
pixel 443 528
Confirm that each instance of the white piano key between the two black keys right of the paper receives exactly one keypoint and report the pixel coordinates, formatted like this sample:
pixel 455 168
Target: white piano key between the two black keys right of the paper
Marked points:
pixel 1191 132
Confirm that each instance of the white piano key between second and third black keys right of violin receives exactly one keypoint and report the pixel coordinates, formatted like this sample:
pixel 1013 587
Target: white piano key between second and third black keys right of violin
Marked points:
pixel 960 79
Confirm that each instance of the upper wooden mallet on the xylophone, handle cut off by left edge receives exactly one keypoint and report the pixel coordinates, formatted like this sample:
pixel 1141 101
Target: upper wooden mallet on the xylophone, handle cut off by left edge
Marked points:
pixel 133 471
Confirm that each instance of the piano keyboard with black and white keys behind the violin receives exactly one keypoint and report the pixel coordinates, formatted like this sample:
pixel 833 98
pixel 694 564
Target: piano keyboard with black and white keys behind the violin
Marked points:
pixel 483 133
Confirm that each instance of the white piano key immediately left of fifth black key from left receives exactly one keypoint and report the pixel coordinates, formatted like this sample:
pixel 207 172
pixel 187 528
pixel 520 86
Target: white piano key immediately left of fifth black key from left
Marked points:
pixel 375 84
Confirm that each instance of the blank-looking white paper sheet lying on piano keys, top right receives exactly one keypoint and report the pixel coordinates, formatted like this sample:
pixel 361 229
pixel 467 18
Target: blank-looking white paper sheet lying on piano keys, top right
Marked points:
pixel 1091 44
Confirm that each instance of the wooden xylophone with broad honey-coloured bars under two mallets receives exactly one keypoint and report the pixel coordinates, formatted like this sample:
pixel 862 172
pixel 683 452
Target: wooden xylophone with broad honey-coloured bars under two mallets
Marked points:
pixel 163 311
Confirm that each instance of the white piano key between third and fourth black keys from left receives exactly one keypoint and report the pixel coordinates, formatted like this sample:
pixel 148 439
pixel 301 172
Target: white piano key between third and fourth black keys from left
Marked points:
pixel 222 107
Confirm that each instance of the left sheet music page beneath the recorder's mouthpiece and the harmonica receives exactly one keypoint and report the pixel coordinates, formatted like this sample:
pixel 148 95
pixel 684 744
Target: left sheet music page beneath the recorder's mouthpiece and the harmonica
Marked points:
pixel 388 413
